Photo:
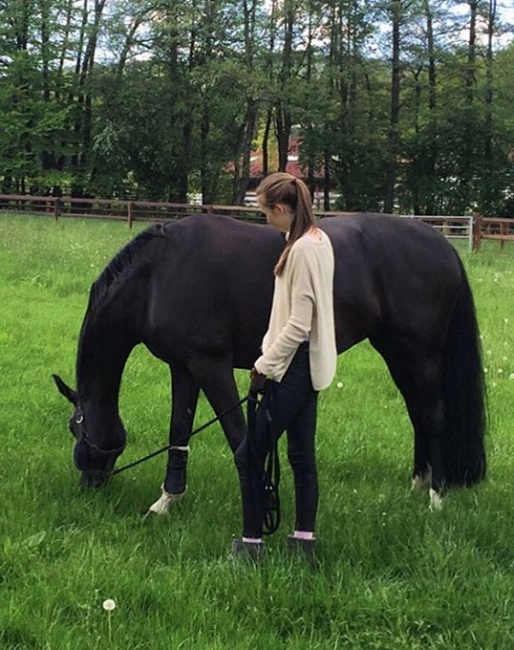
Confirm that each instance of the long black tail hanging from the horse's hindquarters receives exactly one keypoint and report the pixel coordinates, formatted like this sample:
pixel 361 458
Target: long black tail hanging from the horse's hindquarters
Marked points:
pixel 464 394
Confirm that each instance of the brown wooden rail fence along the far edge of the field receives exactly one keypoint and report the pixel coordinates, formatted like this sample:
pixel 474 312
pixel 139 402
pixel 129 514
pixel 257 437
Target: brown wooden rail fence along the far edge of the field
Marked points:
pixel 470 229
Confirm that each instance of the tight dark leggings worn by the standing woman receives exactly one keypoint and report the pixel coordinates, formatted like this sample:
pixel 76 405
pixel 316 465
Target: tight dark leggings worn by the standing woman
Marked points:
pixel 292 405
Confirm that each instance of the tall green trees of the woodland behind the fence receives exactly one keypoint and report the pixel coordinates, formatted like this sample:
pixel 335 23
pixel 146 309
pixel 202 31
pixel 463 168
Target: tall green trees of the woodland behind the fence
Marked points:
pixel 397 106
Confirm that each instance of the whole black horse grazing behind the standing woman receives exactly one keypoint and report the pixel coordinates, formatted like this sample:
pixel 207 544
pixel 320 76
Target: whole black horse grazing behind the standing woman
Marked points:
pixel 197 292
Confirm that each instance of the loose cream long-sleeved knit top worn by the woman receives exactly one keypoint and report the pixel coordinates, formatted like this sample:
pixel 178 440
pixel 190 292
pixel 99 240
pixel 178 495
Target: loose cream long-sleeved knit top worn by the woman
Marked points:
pixel 303 308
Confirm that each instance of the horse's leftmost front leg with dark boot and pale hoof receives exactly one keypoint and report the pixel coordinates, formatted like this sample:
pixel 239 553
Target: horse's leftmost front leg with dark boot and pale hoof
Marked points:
pixel 184 398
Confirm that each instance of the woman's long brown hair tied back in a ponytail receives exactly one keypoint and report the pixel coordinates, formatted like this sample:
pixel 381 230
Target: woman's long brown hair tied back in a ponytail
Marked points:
pixel 290 191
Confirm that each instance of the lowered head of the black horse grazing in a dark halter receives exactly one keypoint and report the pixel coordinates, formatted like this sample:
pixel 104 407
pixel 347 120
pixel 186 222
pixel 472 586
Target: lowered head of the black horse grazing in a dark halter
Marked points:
pixel 90 456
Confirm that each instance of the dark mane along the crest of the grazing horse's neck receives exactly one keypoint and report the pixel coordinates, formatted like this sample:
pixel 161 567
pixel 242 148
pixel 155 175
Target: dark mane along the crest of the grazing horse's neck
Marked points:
pixel 122 265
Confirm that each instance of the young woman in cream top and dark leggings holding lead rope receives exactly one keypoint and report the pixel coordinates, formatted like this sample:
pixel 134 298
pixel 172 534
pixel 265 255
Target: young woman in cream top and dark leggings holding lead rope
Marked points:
pixel 298 360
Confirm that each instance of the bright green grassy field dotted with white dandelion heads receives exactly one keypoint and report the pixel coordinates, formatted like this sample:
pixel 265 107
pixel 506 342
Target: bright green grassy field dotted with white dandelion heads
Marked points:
pixel 393 575
